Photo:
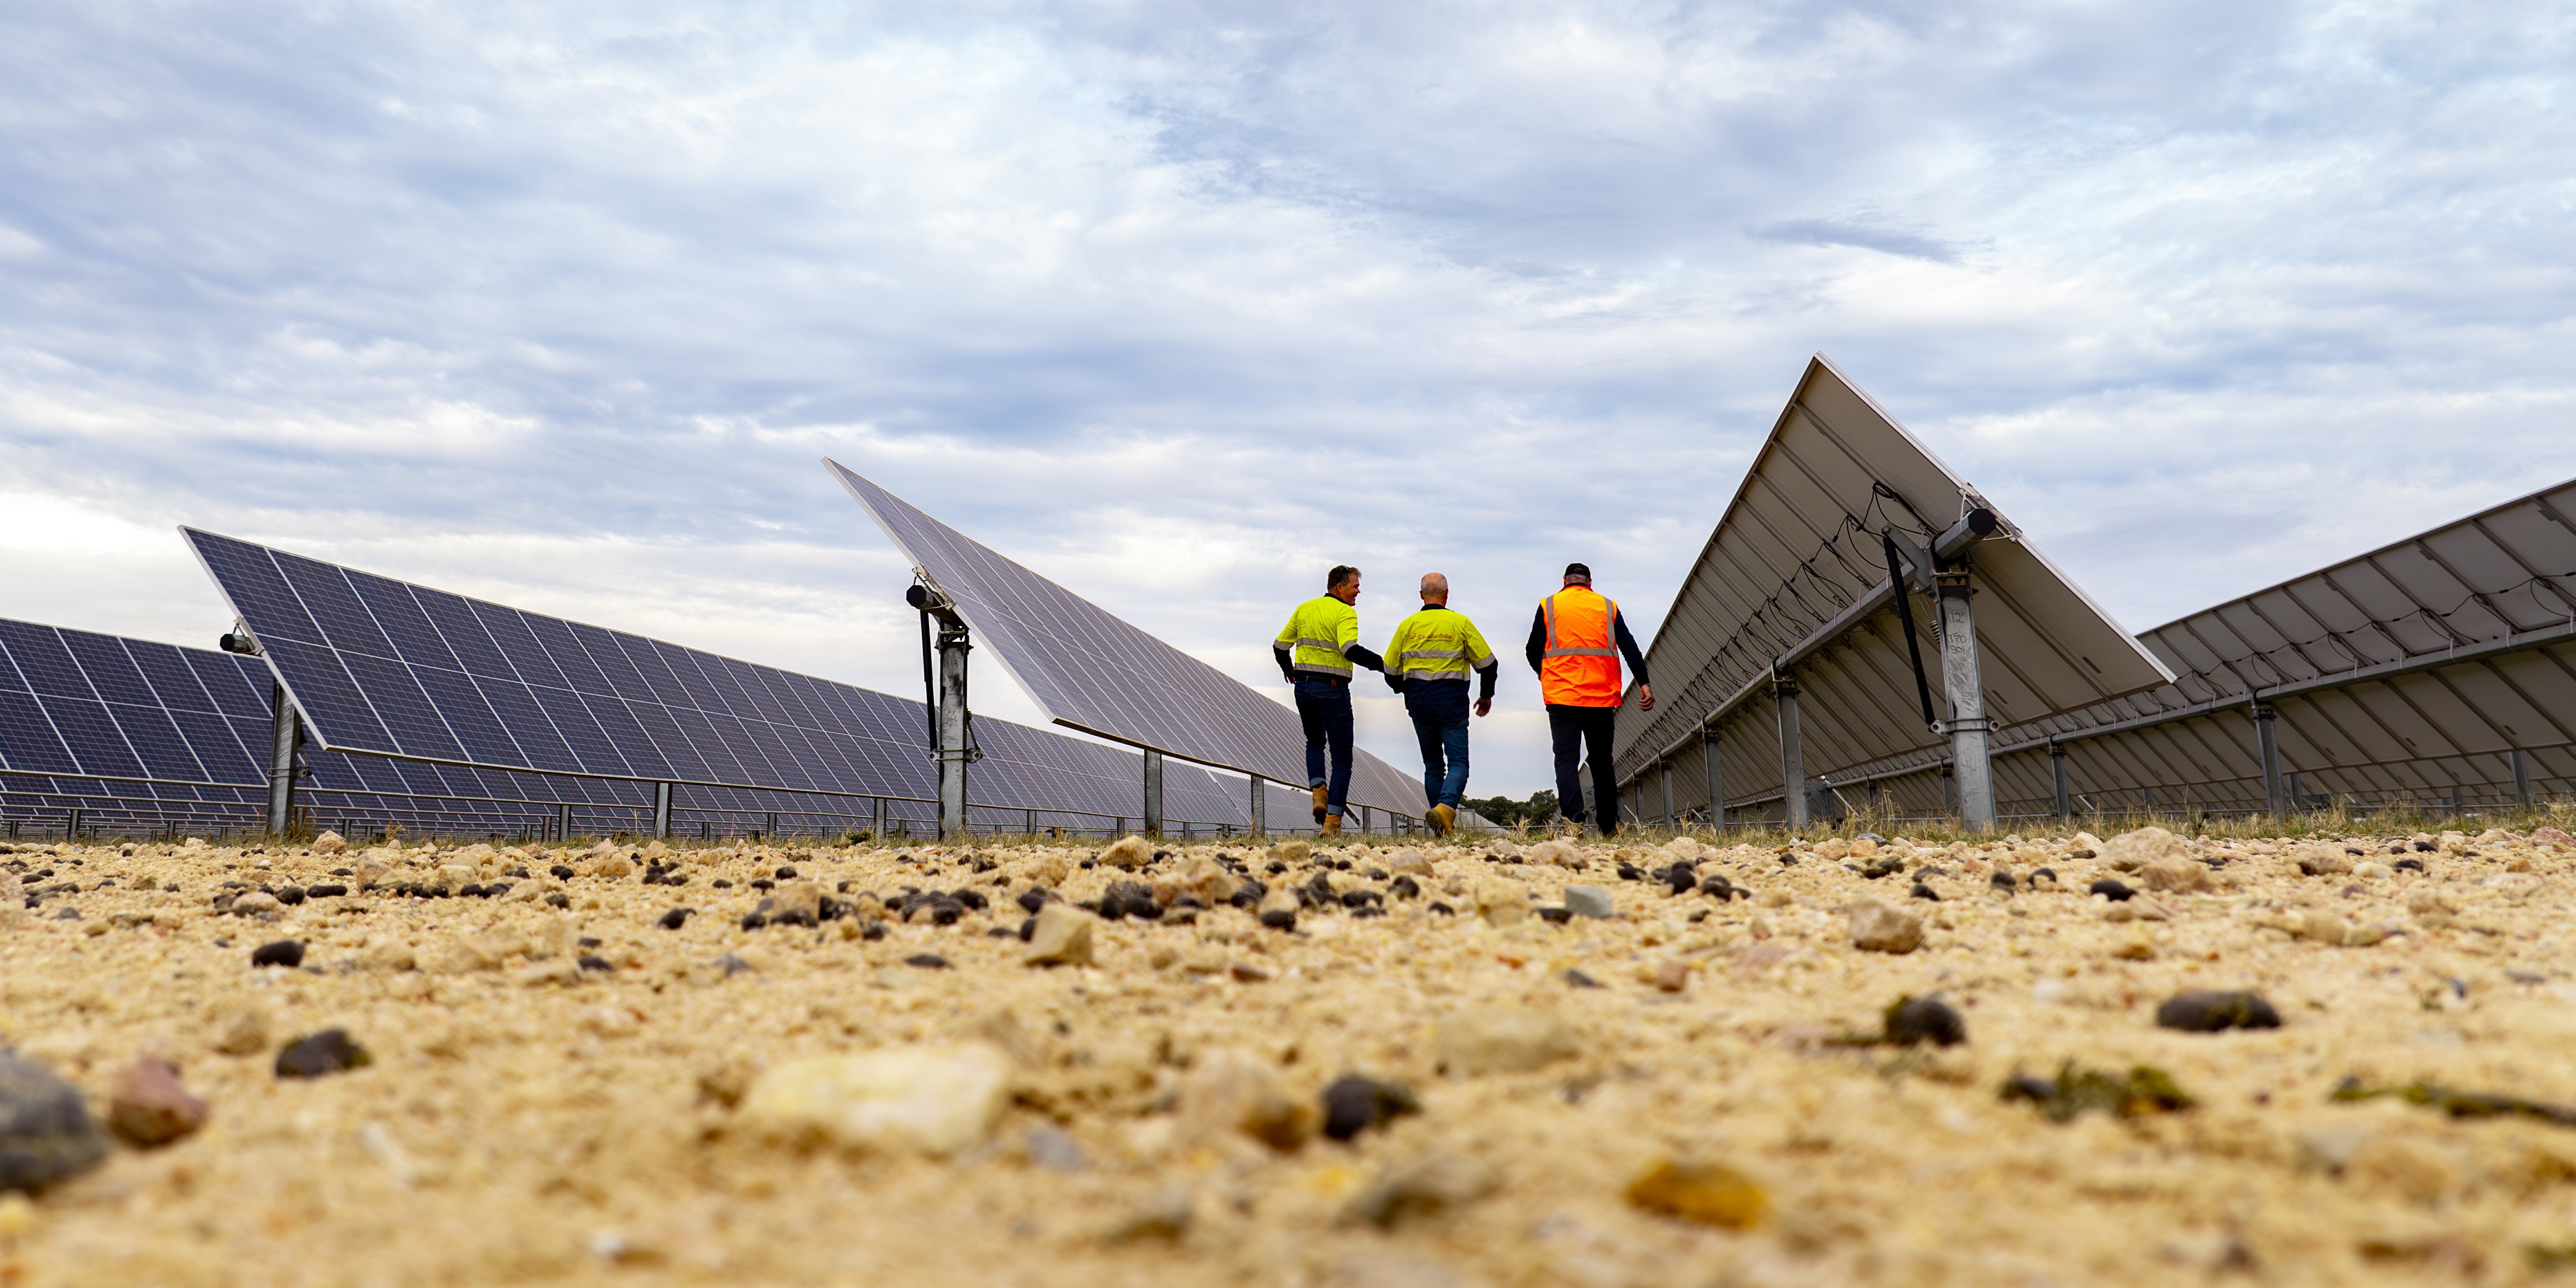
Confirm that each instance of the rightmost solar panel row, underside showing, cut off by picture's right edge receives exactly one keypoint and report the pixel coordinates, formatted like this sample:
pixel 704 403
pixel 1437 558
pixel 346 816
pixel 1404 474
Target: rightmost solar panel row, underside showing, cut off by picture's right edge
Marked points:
pixel 2415 674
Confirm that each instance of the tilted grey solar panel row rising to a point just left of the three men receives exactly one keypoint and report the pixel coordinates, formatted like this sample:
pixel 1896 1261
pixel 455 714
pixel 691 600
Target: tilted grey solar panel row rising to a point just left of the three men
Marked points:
pixel 1094 671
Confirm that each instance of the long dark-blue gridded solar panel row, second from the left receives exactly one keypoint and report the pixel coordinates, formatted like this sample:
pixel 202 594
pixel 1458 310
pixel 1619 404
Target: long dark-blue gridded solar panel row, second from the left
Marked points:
pixel 406 671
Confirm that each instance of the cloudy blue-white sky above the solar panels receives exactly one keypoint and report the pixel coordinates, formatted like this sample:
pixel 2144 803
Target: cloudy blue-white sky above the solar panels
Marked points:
pixel 563 305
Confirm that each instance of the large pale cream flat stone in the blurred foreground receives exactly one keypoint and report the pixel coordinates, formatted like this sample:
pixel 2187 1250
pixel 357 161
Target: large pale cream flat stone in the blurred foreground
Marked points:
pixel 903 1099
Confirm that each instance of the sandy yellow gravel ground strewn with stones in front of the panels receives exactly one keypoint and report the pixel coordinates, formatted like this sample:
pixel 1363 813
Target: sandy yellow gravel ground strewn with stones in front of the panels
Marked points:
pixel 1699 1088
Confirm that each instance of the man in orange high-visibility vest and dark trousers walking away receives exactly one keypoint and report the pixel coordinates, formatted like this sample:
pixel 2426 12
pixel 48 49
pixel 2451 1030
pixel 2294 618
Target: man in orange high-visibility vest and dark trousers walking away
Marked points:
pixel 1575 645
